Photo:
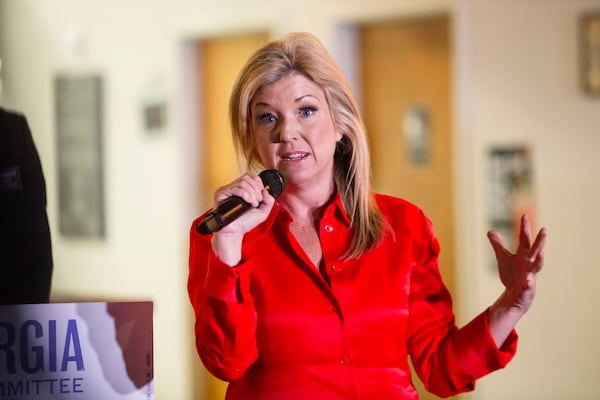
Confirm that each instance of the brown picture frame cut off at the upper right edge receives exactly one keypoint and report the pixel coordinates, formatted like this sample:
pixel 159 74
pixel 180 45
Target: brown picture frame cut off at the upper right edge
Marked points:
pixel 589 37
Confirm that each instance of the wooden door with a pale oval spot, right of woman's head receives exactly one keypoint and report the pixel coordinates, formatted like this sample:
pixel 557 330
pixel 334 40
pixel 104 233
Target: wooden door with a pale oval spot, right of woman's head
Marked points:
pixel 406 70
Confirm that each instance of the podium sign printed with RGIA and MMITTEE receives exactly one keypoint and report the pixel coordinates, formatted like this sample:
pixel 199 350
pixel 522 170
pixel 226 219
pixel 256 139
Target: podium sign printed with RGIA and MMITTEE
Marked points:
pixel 79 351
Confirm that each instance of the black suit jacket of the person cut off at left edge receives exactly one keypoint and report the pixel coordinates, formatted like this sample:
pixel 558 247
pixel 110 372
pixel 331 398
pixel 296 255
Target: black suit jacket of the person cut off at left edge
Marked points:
pixel 25 246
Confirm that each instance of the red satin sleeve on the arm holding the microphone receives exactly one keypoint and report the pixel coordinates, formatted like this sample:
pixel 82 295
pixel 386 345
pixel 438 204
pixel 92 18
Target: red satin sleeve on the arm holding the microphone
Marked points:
pixel 225 318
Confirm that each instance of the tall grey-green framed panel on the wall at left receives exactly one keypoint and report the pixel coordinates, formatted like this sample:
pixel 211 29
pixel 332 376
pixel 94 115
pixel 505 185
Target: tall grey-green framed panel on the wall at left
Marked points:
pixel 80 158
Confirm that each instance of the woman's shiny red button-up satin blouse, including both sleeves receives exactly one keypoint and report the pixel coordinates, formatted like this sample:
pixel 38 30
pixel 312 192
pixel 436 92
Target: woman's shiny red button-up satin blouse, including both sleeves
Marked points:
pixel 277 329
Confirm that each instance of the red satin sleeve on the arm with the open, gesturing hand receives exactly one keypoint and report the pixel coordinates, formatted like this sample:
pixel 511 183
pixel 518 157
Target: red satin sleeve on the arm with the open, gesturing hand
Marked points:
pixel 447 359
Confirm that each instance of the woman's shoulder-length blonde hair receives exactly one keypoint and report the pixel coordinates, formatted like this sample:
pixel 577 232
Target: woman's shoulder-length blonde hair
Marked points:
pixel 304 54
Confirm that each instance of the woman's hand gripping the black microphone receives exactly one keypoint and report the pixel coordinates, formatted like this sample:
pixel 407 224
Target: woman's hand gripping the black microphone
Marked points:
pixel 227 242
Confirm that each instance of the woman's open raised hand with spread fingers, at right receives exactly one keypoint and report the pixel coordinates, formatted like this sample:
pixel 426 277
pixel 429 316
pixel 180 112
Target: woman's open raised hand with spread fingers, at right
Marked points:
pixel 518 271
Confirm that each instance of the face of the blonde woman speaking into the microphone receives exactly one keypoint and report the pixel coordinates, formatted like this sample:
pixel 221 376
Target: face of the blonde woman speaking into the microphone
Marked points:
pixel 294 130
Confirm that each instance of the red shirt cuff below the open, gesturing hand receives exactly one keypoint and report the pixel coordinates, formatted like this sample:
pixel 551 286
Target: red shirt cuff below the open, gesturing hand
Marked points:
pixel 476 350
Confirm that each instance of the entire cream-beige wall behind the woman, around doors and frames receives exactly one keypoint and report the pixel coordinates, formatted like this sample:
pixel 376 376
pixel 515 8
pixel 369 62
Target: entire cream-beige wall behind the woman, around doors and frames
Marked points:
pixel 516 81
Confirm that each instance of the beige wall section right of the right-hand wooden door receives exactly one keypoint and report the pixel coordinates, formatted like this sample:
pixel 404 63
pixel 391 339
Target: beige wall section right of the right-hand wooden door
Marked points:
pixel 517 79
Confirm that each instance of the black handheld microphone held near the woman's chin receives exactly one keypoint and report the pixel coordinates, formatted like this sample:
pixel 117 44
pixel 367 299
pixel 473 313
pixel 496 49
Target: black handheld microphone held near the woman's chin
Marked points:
pixel 231 208
